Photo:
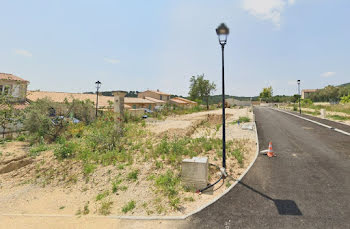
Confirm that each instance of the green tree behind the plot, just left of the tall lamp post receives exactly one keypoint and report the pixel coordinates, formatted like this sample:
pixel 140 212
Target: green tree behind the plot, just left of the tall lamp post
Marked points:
pixel 201 89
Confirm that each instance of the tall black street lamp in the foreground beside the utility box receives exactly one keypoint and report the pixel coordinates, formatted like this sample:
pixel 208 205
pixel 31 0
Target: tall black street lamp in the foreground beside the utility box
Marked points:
pixel 222 31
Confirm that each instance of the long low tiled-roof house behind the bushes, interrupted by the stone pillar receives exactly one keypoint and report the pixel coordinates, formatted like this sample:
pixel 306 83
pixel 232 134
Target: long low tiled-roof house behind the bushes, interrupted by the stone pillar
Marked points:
pixel 104 102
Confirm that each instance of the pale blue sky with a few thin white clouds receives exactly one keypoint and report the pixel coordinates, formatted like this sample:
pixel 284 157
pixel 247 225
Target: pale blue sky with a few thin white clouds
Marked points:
pixel 138 45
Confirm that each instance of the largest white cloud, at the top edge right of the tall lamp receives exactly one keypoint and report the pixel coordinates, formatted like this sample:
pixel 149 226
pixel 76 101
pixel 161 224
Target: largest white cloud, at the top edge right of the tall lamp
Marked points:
pixel 267 9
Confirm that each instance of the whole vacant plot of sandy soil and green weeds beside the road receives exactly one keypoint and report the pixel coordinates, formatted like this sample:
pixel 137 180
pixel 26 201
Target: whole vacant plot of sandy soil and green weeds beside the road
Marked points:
pixel 91 170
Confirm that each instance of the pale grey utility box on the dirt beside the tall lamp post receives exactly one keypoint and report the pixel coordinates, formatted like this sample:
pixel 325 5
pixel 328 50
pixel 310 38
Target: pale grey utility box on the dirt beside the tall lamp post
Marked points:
pixel 194 172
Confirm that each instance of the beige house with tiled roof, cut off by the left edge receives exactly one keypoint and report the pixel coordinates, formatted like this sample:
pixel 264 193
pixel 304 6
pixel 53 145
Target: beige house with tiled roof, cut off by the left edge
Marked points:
pixel 14 86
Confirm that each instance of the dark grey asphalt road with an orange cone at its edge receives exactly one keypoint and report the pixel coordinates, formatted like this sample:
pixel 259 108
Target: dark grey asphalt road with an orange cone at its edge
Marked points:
pixel 306 186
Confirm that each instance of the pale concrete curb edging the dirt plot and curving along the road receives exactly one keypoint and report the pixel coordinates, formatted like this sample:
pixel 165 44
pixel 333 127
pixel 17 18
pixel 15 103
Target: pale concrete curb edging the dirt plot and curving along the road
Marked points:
pixel 160 217
